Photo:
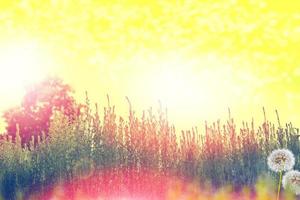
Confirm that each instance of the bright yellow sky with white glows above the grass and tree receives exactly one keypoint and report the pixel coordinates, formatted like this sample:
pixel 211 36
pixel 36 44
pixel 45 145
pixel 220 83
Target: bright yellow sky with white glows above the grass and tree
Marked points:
pixel 197 57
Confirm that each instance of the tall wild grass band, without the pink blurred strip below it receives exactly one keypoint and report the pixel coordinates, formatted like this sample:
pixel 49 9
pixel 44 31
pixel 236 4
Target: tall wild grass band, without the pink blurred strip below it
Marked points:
pixel 222 155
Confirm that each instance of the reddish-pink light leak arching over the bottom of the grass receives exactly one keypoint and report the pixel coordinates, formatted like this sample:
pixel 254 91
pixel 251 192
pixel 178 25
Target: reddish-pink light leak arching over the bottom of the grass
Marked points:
pixel 113 184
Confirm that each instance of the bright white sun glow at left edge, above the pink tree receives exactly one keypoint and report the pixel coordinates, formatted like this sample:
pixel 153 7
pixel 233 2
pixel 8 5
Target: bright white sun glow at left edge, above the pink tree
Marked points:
pixel 20 65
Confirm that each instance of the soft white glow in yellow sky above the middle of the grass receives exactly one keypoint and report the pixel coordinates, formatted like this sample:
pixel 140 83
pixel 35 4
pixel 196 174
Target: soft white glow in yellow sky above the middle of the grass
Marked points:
pixel 180 84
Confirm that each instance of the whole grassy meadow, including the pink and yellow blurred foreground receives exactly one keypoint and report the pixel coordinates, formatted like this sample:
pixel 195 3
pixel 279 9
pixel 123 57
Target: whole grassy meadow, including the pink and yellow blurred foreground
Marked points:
pixel 100 155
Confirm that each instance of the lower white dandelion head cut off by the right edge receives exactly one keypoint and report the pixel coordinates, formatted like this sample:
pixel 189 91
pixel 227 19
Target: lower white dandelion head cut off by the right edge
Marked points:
pixel 291 180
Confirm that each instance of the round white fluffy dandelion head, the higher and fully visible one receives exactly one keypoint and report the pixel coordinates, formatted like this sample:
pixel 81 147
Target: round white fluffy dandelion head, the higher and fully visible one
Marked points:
pixel 281 160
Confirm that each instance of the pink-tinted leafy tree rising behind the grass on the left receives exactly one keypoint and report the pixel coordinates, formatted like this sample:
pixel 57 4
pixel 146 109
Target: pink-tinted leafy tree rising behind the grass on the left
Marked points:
pixel 39 103
